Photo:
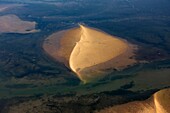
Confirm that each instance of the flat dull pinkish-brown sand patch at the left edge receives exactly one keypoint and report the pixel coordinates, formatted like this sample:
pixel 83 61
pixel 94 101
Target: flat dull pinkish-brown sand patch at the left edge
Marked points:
pixel 13 24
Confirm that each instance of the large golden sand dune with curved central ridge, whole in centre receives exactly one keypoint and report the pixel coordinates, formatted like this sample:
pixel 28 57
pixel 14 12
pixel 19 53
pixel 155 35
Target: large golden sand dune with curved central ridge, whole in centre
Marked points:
pixel 89 52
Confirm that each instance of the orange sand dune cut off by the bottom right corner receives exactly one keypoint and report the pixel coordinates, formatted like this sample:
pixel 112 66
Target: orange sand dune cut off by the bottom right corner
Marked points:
pixel 158 103
